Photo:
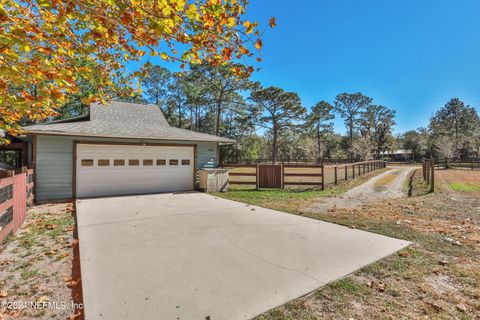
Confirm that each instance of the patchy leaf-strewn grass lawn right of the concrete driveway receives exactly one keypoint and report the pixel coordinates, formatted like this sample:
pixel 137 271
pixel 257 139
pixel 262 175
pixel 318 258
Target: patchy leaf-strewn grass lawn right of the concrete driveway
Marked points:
pixel 435 278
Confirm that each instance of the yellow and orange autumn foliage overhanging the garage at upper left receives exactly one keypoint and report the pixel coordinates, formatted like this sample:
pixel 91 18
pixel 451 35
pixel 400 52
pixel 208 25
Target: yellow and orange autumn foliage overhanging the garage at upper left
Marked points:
pixel 46 43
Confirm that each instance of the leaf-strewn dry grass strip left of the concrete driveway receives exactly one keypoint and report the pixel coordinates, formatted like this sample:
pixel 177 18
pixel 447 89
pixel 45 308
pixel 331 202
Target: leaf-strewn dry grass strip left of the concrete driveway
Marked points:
pixel 36 266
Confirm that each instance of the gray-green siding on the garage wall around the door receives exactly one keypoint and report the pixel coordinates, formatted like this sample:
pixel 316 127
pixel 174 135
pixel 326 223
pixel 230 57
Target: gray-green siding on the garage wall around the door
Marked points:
pixel 54 162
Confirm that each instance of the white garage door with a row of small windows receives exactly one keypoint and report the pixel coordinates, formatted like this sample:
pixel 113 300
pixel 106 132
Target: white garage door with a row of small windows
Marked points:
pixel 104 170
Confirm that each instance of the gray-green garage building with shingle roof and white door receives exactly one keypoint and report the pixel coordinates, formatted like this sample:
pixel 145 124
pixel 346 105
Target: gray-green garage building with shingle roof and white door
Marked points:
pixel 118 149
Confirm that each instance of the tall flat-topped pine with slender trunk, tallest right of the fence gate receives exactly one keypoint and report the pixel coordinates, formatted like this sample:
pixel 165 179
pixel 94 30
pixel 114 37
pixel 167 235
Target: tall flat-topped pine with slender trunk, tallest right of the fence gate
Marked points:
pixel 350 107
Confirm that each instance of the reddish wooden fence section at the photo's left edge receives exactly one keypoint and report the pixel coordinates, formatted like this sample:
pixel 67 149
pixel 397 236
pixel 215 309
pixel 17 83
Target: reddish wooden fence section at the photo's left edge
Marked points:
pixel 16 194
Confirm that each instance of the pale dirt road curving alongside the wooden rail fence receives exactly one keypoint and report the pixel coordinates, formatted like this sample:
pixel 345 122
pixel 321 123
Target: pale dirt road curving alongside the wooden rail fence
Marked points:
pixel 387 185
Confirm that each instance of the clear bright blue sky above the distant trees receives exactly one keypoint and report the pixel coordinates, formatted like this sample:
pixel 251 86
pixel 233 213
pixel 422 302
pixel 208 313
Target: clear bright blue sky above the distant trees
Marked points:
pixel 409 55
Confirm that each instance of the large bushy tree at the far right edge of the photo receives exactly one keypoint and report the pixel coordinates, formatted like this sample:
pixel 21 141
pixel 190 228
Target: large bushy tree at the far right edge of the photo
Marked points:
pixel 456 120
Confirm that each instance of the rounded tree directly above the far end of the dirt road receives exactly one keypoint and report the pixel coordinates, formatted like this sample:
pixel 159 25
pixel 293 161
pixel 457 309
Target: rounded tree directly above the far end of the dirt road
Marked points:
pixel 377 122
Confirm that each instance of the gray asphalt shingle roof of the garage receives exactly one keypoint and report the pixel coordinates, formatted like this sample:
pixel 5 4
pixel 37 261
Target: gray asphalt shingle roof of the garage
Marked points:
pixel 124 120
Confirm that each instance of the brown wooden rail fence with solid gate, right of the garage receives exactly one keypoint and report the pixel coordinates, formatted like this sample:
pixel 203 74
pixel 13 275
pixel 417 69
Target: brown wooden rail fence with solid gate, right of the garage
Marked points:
pixel 282 175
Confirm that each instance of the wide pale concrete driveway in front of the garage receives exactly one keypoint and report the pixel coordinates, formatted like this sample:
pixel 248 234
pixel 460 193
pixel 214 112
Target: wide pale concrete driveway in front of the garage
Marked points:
pixel 194 256
